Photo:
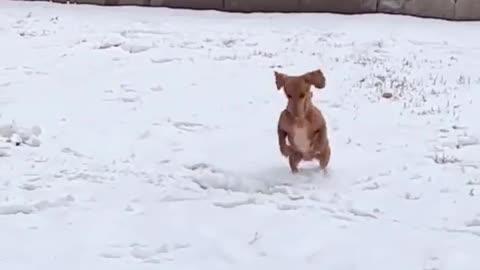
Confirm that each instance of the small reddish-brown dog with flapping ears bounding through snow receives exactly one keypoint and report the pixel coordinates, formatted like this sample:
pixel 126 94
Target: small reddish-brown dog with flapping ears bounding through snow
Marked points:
pixel 301 122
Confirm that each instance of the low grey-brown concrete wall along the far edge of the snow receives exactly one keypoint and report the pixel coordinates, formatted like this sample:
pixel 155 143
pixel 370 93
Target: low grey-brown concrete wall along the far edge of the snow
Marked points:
pixel 443 9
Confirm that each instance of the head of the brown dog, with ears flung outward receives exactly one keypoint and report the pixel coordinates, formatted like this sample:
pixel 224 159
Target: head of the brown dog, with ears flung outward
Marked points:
pixel 297 90
